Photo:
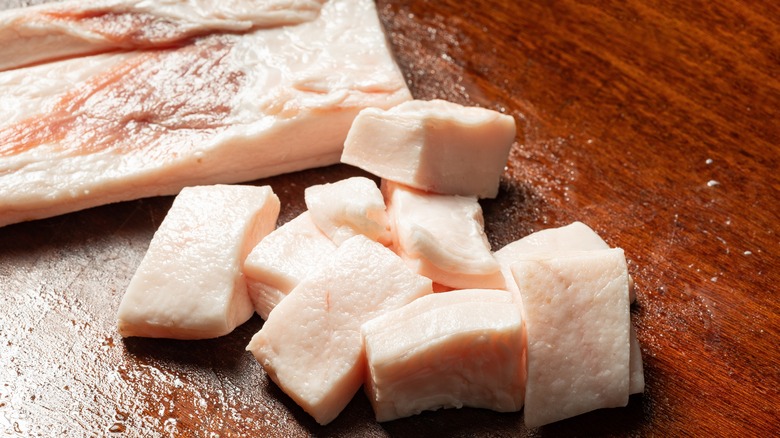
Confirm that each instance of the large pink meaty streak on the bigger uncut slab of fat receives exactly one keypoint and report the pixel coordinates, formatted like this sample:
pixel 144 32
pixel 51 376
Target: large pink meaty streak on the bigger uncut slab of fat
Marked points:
pixel 154 102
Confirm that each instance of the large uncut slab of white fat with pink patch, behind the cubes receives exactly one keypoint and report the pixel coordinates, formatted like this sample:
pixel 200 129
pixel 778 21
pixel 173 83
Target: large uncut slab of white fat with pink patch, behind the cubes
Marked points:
pixel 223 109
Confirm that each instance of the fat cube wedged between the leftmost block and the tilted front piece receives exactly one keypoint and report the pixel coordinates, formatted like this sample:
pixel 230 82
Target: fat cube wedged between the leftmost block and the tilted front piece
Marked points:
pixel 282 259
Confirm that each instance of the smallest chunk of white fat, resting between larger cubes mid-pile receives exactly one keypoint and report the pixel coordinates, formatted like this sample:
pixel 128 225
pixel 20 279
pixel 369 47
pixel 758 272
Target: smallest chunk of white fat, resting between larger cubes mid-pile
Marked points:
pixel 349 207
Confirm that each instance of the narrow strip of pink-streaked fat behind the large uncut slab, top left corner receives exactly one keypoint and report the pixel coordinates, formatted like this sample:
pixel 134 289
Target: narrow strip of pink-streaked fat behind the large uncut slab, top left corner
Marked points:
pixel 71 28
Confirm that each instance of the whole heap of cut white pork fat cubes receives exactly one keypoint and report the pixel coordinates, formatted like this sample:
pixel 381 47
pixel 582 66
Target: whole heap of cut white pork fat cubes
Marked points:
pixel 394 287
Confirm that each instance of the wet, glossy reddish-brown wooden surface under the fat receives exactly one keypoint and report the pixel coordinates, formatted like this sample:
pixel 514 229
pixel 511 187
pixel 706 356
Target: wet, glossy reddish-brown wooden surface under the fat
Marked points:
pixel 654 122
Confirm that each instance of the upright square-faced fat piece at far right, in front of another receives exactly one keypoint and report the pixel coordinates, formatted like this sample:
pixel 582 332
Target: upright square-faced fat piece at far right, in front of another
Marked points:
pixel 577 322
